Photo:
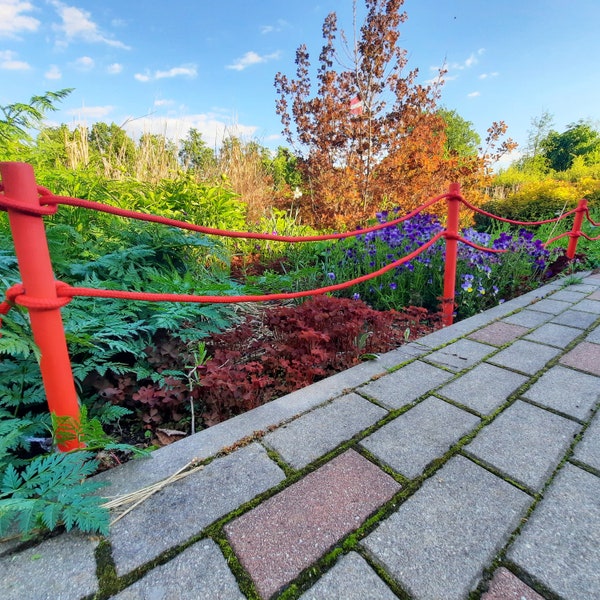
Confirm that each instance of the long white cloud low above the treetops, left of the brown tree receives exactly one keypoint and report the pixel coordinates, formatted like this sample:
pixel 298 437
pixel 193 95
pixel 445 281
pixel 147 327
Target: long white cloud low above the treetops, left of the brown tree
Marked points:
pixel 214 128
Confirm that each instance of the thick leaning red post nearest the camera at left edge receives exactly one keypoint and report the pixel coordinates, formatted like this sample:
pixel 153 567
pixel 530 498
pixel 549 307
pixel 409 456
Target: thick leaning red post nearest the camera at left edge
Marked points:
pixel 33 256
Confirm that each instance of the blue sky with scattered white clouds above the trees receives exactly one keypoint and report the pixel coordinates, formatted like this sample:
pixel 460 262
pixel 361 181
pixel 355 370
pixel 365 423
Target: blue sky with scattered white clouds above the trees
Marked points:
pixel 167 66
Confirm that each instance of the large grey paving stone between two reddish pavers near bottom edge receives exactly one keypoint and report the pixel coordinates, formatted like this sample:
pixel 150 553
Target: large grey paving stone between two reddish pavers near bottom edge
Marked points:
pixel 439 541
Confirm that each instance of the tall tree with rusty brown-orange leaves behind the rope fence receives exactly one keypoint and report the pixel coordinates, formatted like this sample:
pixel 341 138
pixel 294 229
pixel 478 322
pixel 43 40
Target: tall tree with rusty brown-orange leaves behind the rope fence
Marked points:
pixel 390 152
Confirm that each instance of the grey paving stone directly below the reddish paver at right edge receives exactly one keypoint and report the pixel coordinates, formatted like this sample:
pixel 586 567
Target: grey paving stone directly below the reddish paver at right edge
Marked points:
pixel 567 391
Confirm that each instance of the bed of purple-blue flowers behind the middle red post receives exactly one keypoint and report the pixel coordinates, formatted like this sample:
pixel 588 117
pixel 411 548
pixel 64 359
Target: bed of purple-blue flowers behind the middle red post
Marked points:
pixel 484 278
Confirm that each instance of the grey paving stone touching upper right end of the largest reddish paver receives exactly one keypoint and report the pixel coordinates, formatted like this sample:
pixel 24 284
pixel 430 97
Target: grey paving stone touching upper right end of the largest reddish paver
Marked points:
pixel 425 432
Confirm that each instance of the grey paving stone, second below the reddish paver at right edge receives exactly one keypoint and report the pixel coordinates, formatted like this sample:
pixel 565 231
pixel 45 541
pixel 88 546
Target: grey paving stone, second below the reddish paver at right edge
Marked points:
pixel 525 443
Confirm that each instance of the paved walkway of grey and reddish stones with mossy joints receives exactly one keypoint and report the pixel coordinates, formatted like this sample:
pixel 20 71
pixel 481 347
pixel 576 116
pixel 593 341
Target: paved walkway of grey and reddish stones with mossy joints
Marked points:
pixel 464 465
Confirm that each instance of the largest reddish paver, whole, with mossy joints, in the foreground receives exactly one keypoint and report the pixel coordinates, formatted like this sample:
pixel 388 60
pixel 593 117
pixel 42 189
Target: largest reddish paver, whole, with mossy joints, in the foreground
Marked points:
pixel 284 535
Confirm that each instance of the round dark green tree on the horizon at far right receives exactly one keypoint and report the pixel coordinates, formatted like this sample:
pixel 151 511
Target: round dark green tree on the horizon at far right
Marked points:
pixel 579 139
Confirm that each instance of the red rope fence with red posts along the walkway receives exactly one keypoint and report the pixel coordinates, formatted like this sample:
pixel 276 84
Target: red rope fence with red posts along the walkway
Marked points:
pixel 27 203
